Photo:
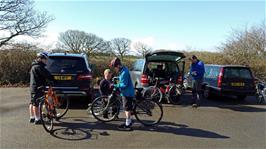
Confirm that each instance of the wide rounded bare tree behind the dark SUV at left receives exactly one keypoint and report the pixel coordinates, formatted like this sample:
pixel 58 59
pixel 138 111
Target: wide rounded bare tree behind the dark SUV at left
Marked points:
pixel 80 41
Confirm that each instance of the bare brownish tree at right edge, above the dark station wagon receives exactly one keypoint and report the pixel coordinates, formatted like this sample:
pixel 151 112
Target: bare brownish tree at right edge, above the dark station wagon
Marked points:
pixel 247 47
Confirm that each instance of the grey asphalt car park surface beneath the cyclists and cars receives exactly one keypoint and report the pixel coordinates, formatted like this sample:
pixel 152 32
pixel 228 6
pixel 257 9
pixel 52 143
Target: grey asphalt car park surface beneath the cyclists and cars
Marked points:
pixel 220 123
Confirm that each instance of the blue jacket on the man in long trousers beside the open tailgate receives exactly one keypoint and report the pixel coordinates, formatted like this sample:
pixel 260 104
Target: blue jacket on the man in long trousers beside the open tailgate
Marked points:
pixel 199 68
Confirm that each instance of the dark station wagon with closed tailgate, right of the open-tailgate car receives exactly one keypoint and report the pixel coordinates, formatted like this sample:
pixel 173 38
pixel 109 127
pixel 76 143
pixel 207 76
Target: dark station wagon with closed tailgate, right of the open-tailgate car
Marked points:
pixel 233 80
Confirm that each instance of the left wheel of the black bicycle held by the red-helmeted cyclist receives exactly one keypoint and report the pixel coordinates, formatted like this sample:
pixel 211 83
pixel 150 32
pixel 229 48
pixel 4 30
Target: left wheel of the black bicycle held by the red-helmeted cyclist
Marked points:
pixel 103 111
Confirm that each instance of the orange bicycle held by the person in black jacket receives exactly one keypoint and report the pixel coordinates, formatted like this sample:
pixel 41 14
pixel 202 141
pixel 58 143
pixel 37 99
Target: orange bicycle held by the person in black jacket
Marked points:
pixel 52 107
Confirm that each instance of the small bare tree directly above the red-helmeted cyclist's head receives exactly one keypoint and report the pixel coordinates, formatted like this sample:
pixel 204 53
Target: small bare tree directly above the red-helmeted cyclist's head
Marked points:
pixel 120 46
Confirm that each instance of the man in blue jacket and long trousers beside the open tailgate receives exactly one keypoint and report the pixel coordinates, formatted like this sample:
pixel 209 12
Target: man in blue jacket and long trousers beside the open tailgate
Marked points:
pixel 197 71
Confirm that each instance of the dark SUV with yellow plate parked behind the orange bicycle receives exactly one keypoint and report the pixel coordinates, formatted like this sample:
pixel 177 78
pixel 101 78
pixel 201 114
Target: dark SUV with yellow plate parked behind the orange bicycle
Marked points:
pixel 72 73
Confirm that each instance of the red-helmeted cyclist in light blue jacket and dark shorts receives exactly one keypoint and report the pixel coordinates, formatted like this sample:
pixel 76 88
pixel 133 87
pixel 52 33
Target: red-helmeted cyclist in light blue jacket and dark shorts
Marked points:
pixel 127 91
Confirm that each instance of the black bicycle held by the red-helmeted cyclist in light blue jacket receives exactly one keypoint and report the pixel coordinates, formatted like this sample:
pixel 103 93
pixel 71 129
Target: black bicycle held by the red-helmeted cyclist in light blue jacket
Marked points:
pixel 147 111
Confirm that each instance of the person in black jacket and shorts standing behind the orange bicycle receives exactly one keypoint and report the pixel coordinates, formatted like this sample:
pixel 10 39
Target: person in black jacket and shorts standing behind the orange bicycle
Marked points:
pixel 38 76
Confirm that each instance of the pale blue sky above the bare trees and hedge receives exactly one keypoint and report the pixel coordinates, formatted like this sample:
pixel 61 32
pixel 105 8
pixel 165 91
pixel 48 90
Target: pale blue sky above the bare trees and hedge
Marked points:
pixel 175 25
